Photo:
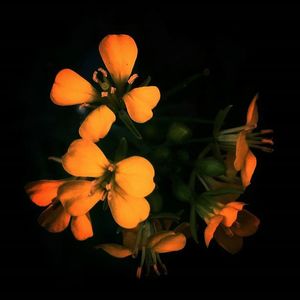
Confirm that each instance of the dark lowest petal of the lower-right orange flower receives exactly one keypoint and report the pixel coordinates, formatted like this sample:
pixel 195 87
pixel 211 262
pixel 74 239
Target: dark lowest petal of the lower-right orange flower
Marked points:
pixel 231 243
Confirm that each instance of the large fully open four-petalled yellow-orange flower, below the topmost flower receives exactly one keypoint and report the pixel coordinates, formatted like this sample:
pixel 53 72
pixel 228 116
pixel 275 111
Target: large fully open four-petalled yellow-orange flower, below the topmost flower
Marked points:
pixel 124 184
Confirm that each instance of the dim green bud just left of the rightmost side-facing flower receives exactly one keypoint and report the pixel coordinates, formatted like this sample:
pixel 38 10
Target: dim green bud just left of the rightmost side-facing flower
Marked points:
pixel 210 167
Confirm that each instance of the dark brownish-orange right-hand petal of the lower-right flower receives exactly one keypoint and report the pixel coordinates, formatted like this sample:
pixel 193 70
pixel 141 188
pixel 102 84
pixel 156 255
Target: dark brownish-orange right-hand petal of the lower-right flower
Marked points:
pixel 247 224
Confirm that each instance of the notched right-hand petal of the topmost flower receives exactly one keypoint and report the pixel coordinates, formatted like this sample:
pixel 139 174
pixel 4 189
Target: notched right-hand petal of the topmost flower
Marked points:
pixel 140 102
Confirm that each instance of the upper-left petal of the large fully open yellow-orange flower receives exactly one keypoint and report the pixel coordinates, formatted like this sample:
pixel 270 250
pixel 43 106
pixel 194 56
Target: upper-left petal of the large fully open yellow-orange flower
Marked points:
pixel 84 159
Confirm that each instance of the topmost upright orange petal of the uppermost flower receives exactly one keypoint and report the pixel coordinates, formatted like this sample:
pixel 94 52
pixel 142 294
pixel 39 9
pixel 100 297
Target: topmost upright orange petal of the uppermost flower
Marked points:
pixel 118 52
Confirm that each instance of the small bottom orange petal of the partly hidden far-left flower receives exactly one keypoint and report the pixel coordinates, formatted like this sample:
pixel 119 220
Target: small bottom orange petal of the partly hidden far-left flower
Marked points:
pixel 81 227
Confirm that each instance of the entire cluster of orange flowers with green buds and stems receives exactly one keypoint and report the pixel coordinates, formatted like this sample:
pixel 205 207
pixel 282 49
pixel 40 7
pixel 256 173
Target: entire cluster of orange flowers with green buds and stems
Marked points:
pixel 209 186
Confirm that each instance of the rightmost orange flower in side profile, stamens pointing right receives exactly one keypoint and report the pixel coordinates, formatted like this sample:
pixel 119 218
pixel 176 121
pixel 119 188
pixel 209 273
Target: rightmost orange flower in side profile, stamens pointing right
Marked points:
pixel 241 139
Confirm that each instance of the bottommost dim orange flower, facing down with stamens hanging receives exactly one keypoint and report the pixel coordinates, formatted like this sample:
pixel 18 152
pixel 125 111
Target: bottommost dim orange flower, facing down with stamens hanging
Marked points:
pixel 144 238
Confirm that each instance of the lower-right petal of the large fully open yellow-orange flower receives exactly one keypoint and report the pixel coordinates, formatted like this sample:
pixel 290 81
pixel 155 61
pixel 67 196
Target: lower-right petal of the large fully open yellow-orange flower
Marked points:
pixel 126 210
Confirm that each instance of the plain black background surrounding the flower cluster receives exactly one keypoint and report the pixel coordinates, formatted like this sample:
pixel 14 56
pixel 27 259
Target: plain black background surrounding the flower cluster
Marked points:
pixel 248 49
